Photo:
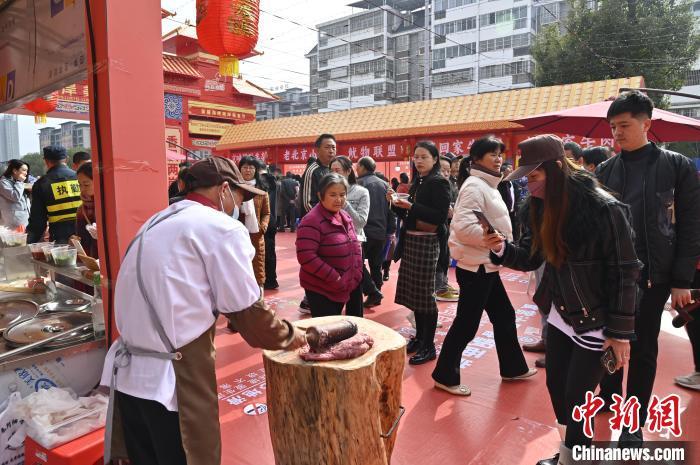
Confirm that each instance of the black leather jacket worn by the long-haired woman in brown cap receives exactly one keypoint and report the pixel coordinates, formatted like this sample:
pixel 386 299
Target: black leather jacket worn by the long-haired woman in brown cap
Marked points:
pixel 596 287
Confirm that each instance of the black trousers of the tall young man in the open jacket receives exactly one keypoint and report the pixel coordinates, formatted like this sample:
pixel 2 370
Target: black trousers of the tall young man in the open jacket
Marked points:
pixel 643 351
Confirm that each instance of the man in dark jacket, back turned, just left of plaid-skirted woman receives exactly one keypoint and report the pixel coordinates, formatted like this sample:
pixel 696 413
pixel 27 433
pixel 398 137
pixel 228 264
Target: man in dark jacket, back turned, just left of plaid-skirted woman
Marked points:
pixel 375 230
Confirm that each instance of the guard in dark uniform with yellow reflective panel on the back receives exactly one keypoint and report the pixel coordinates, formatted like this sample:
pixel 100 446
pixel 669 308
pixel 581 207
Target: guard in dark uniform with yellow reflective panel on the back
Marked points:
pixel 55 199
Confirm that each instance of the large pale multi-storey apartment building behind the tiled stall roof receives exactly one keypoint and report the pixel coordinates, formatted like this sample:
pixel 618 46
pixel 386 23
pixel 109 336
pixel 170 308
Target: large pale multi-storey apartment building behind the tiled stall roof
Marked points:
pixel 405 50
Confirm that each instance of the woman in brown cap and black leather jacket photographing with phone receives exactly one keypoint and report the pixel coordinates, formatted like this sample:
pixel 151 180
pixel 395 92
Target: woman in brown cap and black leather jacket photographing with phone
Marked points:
pixel 583 236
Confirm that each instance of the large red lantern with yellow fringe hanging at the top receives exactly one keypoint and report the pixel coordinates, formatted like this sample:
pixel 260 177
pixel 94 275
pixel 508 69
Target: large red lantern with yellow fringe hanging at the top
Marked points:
pixel 228 29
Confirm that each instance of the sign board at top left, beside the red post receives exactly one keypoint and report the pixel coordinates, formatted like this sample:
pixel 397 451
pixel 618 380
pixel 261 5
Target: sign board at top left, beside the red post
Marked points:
pixel 42 48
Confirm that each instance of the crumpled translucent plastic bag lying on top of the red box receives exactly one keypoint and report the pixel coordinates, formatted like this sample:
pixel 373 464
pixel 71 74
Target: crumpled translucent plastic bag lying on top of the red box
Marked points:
pixel 54 416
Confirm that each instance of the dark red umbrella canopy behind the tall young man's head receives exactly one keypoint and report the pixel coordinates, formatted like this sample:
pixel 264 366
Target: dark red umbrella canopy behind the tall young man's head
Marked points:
pixel 591 121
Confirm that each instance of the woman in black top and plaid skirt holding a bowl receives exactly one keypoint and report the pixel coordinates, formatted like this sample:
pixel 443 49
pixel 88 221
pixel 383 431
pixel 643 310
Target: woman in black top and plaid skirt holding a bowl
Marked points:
pixel 424 215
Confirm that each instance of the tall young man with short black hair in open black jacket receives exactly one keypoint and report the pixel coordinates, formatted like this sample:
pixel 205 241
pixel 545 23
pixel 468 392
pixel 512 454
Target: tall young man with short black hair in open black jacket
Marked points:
pixel 663 192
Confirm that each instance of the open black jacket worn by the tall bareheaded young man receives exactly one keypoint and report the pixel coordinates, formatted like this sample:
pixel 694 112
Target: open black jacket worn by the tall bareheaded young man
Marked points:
pixel 671 215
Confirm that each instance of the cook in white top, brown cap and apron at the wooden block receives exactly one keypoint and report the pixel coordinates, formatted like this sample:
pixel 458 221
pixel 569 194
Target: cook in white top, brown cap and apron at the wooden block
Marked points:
pixel 189 263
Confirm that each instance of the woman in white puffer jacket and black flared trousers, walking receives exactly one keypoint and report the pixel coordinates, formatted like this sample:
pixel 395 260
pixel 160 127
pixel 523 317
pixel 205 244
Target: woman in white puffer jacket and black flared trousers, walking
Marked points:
pixel 480 285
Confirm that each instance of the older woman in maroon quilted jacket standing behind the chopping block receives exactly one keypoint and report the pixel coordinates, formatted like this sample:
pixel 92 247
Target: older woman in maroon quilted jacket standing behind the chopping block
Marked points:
pixel 329 253
